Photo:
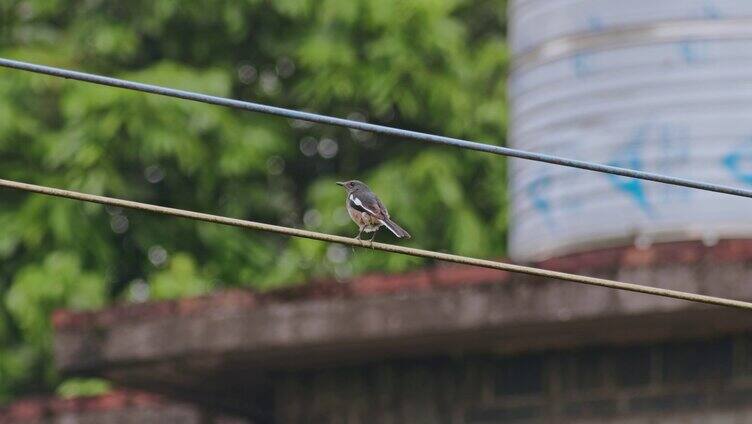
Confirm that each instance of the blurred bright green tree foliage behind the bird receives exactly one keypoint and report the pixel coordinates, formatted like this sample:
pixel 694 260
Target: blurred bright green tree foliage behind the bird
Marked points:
pixel 428 65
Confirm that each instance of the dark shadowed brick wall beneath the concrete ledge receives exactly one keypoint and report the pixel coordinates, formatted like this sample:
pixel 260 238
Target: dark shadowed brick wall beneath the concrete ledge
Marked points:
pixel 711 379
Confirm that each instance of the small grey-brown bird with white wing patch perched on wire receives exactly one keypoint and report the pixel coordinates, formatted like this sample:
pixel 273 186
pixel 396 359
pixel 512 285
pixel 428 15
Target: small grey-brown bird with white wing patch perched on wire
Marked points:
pixel 367 210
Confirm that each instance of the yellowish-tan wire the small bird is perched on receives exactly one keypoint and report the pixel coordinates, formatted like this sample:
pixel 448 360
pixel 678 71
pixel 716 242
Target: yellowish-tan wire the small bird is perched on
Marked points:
pixel 49 191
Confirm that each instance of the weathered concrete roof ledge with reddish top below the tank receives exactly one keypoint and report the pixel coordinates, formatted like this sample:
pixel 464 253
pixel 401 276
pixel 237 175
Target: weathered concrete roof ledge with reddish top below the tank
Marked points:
pixel 226 340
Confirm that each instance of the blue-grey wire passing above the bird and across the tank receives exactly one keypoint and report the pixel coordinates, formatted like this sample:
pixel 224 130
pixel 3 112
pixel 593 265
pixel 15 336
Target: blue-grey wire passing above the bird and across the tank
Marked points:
pixel 378 129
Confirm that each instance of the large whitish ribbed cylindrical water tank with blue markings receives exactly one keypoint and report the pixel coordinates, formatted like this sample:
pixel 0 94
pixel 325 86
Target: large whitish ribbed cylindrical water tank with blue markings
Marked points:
pixel 662 86
